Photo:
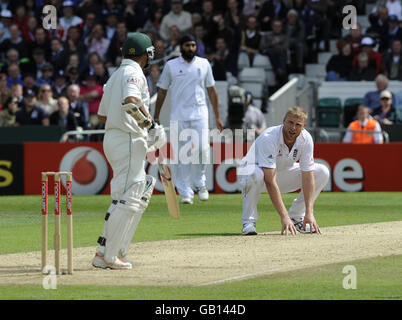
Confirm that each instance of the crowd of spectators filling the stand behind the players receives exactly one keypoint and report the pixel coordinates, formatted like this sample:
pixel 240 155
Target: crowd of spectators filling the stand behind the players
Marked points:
pixel 56 76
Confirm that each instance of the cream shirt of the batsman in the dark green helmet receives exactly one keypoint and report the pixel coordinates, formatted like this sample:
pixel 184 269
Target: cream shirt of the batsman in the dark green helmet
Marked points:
pixel 127 81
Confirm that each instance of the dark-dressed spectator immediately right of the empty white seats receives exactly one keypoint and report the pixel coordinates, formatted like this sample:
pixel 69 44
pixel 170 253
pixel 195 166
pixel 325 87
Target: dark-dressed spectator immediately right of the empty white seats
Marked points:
pixel 275 45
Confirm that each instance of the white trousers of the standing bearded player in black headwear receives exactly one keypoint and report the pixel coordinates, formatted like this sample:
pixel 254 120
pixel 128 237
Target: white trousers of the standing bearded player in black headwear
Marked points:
pixel 193 156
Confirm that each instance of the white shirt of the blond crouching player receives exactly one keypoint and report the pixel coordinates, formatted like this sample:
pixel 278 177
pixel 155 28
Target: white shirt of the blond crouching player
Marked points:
pixel 270 151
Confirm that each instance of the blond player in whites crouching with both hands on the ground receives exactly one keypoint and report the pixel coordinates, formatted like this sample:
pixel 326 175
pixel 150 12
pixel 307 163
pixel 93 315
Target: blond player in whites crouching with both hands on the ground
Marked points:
pixel 281 161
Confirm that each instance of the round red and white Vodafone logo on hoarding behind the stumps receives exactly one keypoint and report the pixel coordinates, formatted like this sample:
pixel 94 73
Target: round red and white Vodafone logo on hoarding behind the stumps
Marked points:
pixel 89 168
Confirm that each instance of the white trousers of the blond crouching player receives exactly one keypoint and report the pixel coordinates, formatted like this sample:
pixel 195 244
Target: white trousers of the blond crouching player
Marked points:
pixel 288 180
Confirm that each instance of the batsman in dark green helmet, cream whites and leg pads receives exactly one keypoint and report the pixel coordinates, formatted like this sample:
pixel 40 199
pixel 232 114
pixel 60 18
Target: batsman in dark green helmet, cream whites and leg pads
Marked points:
pixel 130 132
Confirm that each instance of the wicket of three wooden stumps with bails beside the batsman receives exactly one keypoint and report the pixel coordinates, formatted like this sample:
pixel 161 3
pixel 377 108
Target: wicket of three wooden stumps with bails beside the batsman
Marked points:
pixel 57 219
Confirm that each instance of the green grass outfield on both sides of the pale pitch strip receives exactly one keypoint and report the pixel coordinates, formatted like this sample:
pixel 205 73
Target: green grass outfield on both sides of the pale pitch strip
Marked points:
pixel 379 278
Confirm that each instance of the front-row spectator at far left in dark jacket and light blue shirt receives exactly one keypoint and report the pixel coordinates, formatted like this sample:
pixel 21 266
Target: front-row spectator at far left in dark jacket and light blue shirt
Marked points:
pixel 30 113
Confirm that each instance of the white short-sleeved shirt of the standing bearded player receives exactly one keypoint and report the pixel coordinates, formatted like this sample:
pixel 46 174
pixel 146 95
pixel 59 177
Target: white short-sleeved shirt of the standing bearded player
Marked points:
pixel 187 82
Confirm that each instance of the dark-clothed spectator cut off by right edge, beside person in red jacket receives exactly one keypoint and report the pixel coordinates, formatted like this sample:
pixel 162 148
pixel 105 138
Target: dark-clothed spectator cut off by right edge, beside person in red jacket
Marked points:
pixel 392 61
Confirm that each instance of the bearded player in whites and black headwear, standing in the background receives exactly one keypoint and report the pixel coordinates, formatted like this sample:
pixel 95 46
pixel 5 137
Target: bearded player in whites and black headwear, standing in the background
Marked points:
pixel 187 77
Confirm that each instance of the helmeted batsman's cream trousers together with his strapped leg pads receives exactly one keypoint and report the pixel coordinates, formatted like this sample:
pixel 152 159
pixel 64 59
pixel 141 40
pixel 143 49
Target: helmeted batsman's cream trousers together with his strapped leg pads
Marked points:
pixel 126 154
